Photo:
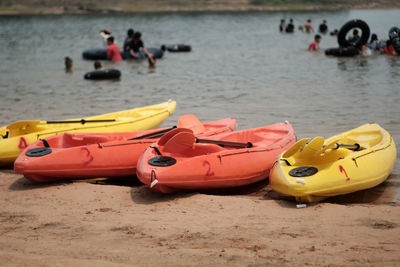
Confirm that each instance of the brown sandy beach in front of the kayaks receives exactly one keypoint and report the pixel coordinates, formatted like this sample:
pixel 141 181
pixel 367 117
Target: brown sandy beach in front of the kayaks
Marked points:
pixel 80 224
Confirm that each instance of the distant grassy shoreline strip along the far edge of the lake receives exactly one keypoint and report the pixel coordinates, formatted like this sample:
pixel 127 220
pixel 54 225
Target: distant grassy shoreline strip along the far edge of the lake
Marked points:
pixel 19 9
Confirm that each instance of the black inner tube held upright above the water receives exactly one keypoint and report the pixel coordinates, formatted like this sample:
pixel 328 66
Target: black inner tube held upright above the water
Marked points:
pixel 356 23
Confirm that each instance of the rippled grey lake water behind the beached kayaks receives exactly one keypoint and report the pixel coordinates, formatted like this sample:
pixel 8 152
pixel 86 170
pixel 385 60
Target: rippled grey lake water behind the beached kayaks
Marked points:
pixel 240 67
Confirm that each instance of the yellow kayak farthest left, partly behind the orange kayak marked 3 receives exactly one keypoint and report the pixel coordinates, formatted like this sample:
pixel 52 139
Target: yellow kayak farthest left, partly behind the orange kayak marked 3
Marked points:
pixel 14 138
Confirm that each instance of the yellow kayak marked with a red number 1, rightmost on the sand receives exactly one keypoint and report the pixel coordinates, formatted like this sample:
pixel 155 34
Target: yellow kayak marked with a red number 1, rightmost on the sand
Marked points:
pixel 312 170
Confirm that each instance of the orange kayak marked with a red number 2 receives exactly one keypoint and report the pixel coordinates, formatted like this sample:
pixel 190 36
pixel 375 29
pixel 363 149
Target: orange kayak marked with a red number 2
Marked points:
pixel 180 161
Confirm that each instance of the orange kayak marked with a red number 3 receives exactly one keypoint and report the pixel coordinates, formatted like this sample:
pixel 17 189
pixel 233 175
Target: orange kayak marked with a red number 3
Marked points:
pixel 92 155
